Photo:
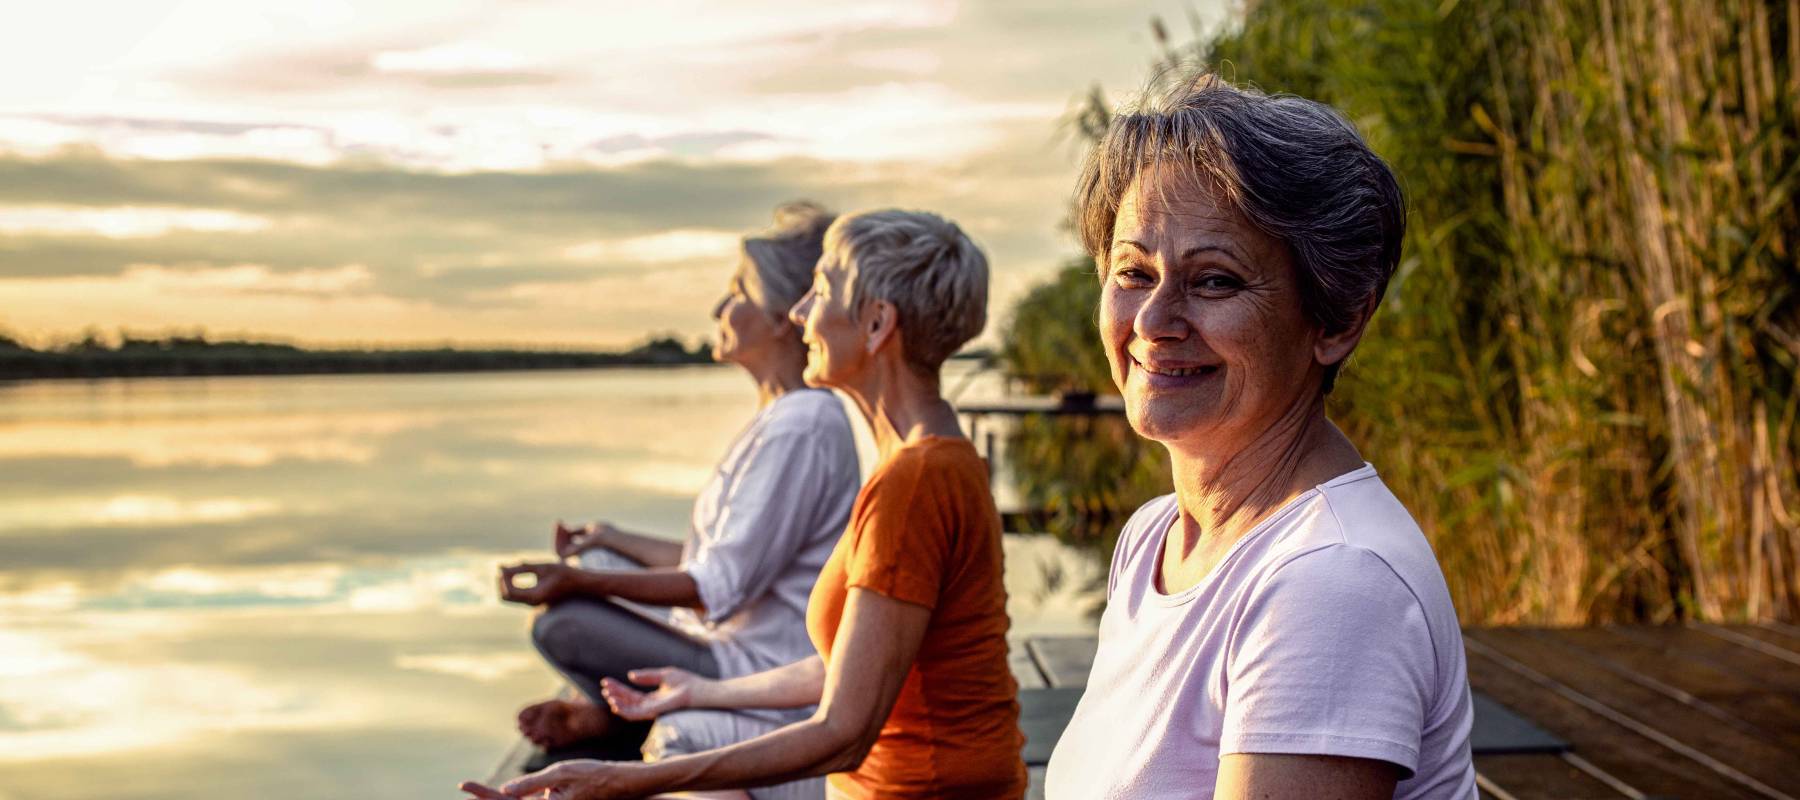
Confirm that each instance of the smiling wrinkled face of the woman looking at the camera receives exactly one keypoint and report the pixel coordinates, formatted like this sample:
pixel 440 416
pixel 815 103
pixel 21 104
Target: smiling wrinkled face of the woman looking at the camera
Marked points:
pixel 1201 320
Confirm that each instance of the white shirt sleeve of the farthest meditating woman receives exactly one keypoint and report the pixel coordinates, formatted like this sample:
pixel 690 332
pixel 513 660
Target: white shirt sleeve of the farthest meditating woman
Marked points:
pixel 769 514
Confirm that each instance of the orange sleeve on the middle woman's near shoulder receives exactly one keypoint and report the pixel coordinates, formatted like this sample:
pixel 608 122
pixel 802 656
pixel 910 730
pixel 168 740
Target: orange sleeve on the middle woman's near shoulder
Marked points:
pixel 901 540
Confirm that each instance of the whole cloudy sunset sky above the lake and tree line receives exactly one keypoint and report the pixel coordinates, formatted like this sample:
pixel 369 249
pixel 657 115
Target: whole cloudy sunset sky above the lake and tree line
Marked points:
pixel 532 172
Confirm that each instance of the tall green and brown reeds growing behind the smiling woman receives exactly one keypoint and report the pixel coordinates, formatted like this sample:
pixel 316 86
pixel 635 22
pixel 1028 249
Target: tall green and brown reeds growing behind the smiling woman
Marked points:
pixel 1583 381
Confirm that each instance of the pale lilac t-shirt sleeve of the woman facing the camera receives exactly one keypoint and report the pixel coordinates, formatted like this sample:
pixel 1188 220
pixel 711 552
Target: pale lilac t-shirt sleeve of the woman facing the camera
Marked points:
pixel 1331 657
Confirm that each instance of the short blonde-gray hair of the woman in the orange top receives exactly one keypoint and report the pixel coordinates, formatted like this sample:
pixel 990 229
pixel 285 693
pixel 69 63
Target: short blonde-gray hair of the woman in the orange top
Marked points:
pixel 922 264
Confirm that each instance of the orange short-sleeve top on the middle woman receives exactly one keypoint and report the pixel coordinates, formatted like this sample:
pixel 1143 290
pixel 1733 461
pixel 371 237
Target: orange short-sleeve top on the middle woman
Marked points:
pixel 924 531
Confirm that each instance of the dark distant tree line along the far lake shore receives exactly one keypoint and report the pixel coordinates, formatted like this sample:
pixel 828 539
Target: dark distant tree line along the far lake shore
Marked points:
pixel 179 356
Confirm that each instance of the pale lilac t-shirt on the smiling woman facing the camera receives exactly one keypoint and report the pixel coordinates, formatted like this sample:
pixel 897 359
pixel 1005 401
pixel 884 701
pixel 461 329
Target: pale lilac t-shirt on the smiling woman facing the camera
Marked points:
pixel 1326 632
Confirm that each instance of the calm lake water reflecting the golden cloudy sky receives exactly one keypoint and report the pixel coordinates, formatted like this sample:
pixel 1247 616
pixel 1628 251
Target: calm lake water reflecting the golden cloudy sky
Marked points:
pixel 283 586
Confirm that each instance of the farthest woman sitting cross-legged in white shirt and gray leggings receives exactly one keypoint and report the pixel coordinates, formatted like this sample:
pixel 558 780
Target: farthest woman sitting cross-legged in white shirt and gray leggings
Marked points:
pixel 732 599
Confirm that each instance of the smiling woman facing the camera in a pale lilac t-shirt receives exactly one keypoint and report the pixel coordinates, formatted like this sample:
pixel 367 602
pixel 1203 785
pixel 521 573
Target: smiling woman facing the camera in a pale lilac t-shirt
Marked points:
pixel 1279 626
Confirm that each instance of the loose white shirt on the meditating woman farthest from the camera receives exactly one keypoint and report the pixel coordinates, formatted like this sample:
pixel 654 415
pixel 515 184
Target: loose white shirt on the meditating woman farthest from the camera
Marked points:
pixel 766 525
